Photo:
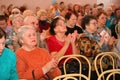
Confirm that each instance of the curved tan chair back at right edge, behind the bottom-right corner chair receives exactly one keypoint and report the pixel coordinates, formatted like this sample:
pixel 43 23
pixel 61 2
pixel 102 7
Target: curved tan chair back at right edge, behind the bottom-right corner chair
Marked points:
pixel 99 60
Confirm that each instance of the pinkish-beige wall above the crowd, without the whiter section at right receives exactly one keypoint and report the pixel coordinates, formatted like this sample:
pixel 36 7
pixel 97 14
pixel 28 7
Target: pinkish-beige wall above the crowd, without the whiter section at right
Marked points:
pixel 42 3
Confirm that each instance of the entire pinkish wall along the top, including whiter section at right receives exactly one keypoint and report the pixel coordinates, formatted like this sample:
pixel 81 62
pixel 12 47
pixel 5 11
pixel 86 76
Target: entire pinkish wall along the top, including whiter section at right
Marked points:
pixel 46 3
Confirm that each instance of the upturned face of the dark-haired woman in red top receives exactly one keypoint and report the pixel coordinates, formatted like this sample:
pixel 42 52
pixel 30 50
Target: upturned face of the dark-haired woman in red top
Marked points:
pixel 60 26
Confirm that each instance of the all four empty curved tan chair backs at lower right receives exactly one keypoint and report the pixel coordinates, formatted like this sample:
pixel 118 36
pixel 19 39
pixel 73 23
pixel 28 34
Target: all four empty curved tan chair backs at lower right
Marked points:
pixel 113 58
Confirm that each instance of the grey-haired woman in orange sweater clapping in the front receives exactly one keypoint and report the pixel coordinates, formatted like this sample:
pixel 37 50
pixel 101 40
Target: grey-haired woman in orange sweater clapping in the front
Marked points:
pixel 34 62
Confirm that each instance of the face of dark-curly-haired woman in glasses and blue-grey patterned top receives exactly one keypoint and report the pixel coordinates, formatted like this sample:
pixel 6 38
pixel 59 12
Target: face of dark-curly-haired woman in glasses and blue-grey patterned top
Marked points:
pixel 92 27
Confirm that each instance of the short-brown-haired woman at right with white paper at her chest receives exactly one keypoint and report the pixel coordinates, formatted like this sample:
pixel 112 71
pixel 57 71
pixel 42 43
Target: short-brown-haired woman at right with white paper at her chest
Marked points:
pixel 104 31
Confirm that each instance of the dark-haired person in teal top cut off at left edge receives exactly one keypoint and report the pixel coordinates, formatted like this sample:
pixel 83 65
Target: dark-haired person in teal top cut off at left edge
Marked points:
pixel 7 60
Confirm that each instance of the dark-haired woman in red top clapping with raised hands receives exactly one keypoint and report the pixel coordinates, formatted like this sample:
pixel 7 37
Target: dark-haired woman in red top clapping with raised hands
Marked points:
pixel 59 44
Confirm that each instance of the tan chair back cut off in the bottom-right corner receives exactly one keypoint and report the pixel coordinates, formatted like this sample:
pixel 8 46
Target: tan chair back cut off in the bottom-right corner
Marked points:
pixel 110 73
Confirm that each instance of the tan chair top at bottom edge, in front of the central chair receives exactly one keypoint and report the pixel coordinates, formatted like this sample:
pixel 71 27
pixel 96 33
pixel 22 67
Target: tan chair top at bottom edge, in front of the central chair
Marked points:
pixel 71 77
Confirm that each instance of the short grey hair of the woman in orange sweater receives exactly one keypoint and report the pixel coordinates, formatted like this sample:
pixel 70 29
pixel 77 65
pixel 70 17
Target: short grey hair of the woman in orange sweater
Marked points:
pixel 22 30
